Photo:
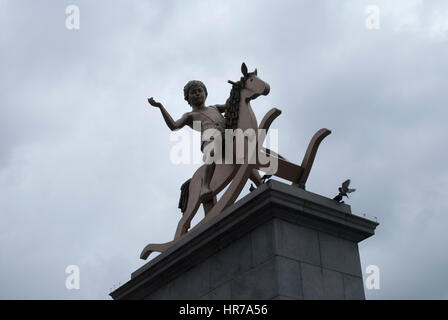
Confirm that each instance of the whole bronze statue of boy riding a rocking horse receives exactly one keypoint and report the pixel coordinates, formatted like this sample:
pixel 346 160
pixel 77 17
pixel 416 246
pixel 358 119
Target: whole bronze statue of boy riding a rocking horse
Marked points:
pixel 212 178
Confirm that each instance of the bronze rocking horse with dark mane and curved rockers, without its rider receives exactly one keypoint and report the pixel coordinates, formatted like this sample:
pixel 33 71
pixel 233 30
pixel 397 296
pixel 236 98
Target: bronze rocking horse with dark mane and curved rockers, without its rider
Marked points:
pixel 239 115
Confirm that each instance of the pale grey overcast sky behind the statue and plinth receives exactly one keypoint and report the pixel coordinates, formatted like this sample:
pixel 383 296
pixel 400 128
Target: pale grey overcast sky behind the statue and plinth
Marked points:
pixel 85 171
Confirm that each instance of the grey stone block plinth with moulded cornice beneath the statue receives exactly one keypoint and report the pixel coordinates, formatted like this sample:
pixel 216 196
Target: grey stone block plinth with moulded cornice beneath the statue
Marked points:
pixel 278 242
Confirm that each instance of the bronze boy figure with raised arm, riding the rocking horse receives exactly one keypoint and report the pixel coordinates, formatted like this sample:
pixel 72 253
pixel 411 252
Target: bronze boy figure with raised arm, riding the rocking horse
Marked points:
pixel 210 117
